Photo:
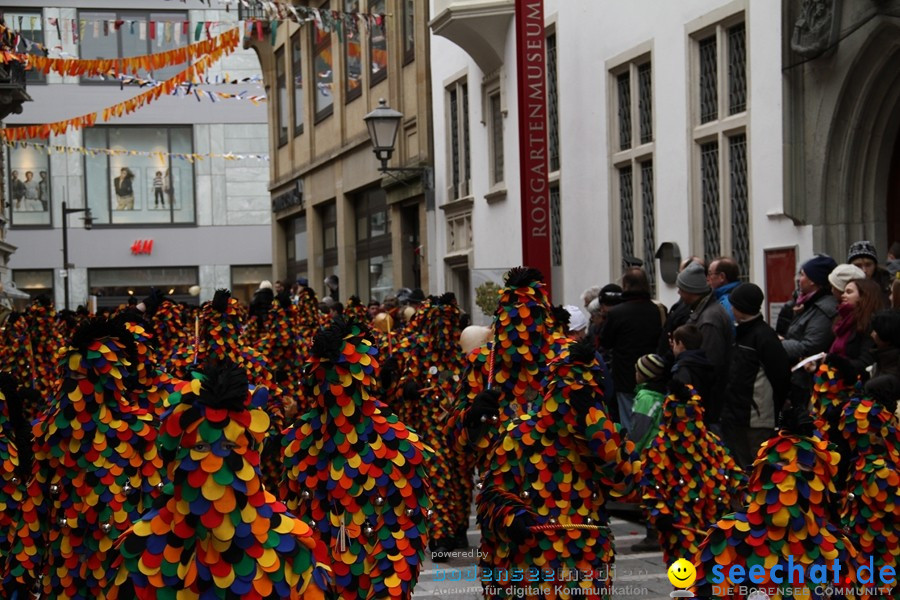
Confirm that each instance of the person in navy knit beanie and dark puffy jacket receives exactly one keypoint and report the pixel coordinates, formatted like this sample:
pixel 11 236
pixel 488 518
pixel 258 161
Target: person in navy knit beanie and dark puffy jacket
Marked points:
pixel 810 330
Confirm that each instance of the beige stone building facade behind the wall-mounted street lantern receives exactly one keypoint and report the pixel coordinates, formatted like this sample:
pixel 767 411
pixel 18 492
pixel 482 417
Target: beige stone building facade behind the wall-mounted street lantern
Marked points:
pixel 336 214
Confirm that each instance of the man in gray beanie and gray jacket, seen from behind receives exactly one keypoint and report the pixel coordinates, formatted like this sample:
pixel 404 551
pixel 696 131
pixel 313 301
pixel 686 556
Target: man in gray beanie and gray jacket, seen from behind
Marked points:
pixel 712 320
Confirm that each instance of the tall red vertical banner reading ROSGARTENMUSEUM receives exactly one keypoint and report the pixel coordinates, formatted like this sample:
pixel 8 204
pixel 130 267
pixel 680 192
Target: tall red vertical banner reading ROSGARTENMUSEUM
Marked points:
pixel 531 65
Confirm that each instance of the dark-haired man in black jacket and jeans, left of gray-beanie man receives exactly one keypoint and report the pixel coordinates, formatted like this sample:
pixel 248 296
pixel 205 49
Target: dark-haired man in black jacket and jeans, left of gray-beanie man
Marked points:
pixel 632 329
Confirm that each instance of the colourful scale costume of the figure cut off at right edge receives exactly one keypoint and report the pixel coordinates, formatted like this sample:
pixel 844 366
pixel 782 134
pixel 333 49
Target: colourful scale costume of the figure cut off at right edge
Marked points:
pixel 871 506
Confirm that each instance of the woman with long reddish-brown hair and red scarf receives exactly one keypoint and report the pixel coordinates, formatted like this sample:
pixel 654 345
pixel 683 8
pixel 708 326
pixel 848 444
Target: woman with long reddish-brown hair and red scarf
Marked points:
pixel 861 299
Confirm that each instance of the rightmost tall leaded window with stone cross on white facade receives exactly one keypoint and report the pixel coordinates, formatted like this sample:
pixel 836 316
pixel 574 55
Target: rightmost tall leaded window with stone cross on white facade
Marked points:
pixel 720 115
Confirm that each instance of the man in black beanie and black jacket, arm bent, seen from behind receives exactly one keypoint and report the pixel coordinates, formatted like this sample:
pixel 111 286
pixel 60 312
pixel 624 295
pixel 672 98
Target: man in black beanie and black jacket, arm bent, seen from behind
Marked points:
pixel 759 378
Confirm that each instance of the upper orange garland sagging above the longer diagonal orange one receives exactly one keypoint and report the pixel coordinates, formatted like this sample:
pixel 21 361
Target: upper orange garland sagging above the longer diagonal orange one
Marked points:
pixel 92 67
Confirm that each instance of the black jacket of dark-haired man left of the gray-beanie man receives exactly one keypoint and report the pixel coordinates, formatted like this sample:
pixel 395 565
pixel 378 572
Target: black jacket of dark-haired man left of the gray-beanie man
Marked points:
pixel 631 330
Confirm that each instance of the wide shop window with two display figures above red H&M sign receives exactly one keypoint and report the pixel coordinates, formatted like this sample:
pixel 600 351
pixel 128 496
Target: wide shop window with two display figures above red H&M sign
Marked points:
pixel 150 187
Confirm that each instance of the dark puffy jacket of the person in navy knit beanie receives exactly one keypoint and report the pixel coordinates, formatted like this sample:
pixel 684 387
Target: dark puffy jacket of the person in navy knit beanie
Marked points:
pixel 810 333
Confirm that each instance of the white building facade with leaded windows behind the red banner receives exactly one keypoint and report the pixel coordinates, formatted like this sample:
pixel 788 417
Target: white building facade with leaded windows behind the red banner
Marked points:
pixel 665 138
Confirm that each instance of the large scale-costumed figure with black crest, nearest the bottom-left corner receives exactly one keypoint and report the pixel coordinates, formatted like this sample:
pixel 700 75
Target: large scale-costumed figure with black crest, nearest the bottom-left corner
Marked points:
pixel 96 469
